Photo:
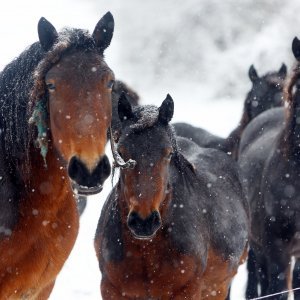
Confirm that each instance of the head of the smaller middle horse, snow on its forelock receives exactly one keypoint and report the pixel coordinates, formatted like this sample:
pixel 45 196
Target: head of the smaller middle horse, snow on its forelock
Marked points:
pixel 146 139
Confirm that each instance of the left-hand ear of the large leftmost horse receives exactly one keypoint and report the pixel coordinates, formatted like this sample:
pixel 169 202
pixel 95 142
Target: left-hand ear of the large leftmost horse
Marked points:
pixel 47 34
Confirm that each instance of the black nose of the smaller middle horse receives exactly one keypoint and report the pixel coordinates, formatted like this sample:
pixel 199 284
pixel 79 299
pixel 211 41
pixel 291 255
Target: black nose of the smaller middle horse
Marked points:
pixel 144 228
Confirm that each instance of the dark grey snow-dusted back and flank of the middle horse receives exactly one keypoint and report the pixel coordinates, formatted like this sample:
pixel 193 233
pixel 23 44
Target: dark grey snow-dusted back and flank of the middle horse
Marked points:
pixel 219 199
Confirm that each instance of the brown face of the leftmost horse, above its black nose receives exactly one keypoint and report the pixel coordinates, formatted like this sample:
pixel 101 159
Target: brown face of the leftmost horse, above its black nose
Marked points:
pixel 70 105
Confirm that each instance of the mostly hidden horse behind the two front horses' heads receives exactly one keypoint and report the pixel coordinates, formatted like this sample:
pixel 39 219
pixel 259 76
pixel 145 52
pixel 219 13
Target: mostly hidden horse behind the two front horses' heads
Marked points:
pixel 118 88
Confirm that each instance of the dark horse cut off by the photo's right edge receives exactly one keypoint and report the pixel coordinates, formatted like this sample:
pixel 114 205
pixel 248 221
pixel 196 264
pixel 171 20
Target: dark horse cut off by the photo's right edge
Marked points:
pixel 269 159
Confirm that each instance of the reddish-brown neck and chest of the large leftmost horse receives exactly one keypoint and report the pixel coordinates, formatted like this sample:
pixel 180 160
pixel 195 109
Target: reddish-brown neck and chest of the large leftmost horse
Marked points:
pixel 44 236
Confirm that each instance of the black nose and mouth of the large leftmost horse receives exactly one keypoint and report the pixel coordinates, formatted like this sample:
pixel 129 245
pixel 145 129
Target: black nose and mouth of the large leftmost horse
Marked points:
pixel 85 182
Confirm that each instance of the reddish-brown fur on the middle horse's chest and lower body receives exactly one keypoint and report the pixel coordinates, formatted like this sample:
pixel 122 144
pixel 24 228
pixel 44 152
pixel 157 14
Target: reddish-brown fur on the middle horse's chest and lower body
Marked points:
pixel 156 267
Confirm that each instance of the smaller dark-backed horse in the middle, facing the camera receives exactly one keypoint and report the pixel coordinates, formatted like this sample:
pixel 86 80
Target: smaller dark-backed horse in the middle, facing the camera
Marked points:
pixel 175 226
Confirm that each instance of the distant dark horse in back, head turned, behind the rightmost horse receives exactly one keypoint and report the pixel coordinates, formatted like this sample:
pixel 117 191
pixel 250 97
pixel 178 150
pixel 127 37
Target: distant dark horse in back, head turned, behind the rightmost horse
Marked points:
pixel 266 92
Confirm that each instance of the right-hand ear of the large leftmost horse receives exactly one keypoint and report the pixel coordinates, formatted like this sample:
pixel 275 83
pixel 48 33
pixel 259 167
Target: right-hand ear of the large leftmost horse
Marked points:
pixel 103 31
